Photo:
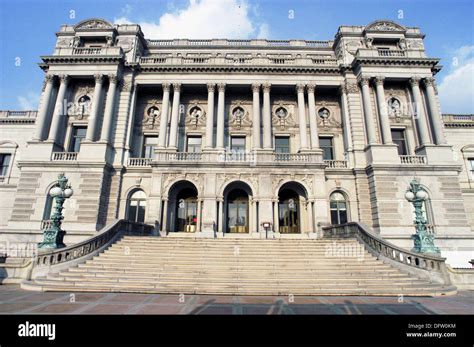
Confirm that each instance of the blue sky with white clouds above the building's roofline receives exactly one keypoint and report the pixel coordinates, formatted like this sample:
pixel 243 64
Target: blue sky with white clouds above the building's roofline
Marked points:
pixel 27 29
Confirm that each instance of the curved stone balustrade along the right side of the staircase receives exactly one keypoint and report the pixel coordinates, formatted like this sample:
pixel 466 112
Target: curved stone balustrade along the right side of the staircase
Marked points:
pixel 426 266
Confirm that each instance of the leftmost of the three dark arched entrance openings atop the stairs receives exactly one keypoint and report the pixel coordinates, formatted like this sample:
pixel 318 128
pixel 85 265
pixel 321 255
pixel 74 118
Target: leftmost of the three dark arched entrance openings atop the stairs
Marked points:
pixel 183 207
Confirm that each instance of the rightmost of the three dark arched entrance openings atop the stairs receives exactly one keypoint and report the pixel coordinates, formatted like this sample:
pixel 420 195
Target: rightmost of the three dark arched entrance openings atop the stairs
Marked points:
pixel 291 199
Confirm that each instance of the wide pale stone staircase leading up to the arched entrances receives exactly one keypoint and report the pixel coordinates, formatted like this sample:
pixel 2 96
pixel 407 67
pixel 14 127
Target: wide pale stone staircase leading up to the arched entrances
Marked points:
pixel 236 267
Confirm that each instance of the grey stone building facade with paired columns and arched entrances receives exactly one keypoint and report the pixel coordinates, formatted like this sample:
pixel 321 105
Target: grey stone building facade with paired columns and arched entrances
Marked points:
pixel 214 138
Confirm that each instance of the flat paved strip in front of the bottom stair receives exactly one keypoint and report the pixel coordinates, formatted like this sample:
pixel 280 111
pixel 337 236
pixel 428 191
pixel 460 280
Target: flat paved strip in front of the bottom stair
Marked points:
pixel 14 300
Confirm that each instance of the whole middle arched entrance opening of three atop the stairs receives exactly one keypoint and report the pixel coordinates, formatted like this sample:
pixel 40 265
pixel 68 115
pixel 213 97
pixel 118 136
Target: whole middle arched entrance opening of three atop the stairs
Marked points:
pixel 237 208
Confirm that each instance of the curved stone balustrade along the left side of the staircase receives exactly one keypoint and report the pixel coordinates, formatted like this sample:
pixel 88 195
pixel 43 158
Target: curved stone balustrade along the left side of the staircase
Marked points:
pixel 53 260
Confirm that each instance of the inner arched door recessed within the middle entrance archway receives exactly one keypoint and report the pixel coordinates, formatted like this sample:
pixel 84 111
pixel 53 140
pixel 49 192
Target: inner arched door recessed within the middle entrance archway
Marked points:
pixel 237 212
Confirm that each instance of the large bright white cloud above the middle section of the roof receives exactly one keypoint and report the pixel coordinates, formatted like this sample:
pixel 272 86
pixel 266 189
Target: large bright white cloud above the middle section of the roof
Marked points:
pixel 204 19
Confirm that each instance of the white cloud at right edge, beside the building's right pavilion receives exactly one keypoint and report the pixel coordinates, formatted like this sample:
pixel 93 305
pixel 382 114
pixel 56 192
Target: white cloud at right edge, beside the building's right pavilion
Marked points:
pixel 456 90
